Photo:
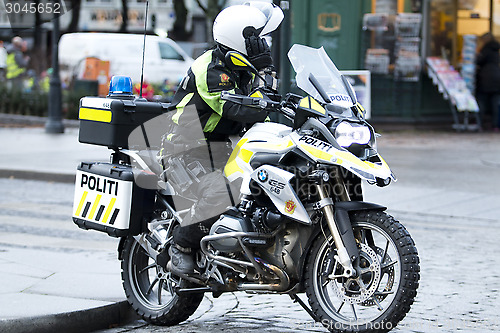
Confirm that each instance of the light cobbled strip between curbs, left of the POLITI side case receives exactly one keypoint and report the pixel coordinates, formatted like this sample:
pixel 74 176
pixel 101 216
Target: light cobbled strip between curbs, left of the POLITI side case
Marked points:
pixel 39 214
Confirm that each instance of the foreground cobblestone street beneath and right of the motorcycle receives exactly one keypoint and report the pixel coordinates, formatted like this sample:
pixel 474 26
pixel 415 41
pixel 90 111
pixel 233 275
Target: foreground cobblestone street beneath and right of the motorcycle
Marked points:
pixel 459 292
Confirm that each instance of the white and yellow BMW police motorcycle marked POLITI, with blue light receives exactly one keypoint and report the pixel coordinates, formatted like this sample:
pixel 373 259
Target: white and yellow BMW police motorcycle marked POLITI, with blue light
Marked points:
pixel 300 228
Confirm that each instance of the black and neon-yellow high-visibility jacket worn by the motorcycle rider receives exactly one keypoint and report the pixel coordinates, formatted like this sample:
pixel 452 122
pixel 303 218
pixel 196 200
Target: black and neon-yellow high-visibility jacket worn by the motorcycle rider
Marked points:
pixel 198 98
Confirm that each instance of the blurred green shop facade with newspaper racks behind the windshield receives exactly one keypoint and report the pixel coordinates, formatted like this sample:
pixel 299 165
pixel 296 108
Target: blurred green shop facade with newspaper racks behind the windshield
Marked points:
pixel 393 39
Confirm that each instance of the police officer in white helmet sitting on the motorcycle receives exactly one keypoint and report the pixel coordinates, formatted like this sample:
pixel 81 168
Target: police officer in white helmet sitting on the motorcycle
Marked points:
pixel 198 102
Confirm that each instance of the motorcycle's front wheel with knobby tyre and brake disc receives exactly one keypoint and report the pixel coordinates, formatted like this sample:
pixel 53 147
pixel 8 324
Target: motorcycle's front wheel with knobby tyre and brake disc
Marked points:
pixel 381 293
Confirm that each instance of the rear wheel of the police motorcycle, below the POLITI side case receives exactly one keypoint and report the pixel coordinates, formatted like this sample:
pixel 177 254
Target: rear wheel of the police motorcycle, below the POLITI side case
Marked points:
pixel 150 289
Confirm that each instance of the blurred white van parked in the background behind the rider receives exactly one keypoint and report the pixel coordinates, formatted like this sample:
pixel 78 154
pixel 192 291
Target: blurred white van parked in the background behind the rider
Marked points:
pixel 164 59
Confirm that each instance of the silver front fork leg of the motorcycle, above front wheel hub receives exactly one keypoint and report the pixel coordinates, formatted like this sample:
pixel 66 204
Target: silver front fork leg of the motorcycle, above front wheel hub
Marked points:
pixel 339 224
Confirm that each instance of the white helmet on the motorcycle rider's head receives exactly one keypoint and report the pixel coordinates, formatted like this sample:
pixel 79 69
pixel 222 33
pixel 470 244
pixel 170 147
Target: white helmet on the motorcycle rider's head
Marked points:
pixel 229 25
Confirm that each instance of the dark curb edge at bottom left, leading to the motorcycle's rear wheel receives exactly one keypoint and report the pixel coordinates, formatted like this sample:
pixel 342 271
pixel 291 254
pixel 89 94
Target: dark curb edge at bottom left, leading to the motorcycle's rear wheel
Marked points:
pixel 103 317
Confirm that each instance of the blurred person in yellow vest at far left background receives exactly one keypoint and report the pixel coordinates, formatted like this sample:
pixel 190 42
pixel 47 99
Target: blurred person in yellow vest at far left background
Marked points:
pixel 17 63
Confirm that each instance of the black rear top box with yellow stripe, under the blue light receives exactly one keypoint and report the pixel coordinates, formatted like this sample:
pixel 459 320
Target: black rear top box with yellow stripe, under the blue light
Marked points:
pixel 109 122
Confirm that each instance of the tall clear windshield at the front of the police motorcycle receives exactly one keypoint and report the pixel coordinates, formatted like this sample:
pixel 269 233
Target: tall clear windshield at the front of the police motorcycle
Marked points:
pixel 306 61
